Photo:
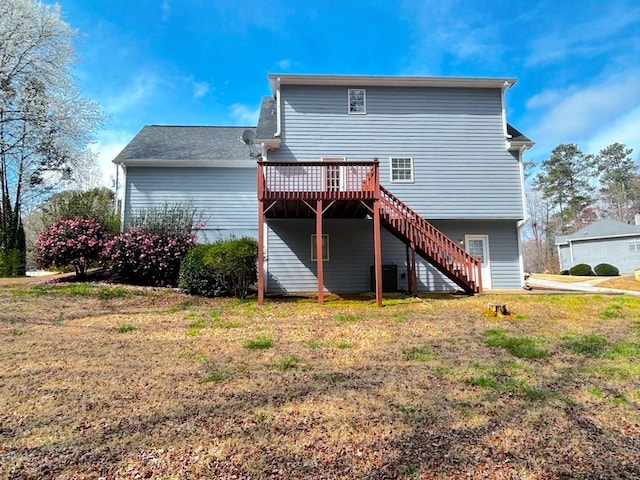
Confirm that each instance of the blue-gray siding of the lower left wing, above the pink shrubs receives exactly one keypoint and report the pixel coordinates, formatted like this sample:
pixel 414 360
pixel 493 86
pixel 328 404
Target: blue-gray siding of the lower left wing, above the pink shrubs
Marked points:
pixel 225 198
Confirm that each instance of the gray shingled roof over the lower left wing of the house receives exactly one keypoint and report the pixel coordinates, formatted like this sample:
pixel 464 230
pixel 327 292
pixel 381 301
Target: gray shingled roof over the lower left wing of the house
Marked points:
pixel 167 143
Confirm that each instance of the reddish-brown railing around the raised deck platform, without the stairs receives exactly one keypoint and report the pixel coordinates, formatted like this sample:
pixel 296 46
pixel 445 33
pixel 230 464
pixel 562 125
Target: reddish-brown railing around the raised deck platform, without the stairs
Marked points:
pixel 318 180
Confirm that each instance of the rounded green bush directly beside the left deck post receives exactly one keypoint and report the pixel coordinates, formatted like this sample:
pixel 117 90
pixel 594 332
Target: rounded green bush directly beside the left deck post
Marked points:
pixel 234 263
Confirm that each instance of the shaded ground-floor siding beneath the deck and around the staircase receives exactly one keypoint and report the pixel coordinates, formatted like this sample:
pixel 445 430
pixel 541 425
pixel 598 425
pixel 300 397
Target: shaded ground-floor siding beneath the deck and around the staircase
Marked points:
pixel 290 269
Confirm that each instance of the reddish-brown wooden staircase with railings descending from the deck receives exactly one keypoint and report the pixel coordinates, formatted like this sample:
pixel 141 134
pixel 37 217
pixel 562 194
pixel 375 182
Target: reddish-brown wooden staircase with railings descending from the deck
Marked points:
pixel 431 244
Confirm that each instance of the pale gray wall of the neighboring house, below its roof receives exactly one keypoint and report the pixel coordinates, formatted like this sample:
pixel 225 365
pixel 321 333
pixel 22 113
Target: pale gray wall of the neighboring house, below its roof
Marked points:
pixel 614 251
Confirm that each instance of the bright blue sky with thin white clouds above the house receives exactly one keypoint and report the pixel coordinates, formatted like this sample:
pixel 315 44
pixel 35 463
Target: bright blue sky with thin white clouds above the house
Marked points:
pixel 205 62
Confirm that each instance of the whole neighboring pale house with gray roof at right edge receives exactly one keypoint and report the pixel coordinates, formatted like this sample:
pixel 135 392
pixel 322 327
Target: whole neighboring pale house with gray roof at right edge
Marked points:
pixel 605 241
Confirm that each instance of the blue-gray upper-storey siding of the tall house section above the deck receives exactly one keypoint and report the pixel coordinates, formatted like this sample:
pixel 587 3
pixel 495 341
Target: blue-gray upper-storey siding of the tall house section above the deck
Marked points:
pixel 462 169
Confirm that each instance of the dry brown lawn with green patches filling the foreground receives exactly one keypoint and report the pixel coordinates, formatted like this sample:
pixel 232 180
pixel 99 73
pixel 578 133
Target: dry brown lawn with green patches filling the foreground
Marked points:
pixel 116 382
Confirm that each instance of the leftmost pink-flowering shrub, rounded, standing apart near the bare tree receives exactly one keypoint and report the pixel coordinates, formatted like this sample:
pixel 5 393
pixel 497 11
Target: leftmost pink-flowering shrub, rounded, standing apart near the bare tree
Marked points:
pixel 76 242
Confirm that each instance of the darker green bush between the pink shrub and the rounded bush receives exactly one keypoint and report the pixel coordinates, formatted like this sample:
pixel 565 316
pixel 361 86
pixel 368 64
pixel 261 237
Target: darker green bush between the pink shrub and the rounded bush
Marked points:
pixel 198 278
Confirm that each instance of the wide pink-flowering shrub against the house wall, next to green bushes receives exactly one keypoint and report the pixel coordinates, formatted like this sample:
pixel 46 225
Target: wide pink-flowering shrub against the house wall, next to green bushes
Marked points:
pixel 146 256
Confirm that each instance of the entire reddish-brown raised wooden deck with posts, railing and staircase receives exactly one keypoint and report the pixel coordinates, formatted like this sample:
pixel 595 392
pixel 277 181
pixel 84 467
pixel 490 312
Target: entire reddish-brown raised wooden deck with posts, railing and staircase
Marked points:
pixel 341 189
